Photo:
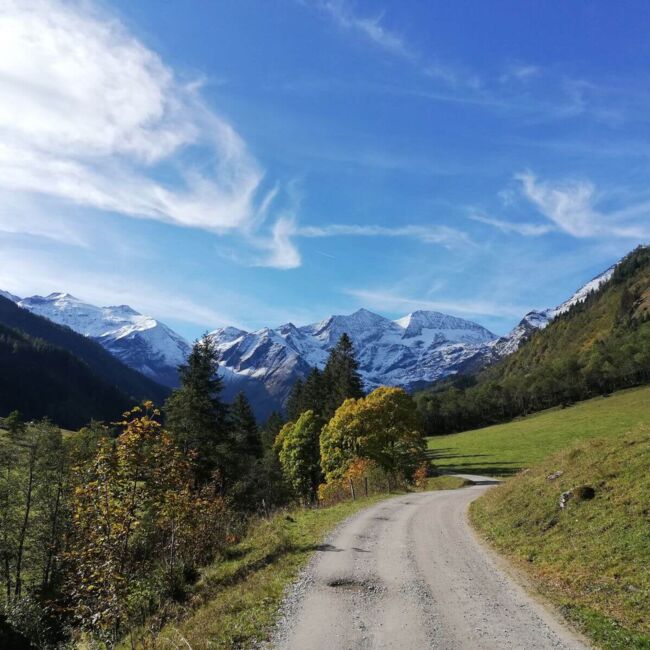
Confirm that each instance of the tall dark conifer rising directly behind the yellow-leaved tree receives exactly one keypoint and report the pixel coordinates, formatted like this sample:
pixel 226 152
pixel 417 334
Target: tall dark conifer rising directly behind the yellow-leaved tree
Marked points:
pixel 341 376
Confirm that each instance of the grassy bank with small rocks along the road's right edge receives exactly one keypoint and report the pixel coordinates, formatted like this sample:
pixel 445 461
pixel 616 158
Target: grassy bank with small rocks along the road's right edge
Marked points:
pixel 593 558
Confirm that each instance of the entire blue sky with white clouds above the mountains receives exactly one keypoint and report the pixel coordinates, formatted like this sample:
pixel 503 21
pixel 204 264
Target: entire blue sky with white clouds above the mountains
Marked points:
pixel 255 162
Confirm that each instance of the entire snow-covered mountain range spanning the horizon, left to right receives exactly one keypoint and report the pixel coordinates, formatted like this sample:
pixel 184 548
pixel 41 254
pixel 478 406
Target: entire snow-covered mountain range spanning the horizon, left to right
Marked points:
pixel 409 352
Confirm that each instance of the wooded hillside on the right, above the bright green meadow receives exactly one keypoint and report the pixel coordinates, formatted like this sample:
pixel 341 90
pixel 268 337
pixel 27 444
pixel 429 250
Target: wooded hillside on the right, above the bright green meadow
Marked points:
pixel 598 346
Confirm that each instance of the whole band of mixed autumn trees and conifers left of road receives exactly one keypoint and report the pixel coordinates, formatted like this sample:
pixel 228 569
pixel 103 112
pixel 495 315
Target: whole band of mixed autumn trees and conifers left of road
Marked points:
pixel 103 531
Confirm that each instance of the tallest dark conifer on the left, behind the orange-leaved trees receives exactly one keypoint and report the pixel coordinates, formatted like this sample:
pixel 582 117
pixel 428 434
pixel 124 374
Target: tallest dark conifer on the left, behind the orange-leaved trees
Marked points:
pixel 195 415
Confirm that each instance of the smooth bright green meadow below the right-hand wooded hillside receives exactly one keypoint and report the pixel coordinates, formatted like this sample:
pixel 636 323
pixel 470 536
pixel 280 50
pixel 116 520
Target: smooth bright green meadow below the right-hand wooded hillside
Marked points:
pixel 506 448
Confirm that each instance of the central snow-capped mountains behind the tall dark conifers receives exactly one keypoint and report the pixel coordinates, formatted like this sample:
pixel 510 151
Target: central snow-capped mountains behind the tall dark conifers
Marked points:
pixel 408 352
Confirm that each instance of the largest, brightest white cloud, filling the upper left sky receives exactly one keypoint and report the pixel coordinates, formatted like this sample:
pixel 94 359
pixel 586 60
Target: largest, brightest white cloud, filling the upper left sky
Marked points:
pixel 90 116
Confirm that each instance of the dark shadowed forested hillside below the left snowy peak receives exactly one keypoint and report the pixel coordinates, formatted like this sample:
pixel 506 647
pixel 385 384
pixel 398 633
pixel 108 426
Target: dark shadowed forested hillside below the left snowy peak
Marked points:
pixel 49 370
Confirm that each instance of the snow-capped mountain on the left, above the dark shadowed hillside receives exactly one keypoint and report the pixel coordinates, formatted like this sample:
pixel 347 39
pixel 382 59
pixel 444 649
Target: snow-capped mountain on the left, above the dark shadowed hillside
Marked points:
pixel 141 342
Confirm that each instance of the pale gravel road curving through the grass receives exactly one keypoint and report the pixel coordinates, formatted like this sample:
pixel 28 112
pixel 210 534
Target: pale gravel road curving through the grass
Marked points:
pixel 410 573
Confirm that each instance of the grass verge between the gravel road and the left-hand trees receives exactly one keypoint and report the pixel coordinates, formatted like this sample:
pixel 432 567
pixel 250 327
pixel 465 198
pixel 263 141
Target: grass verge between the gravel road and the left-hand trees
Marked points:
pixel 237 598
